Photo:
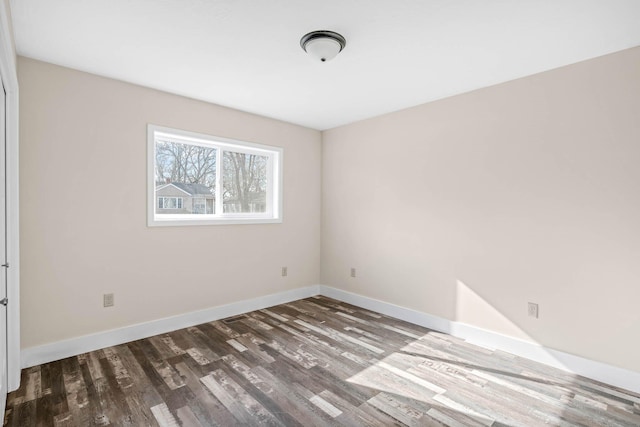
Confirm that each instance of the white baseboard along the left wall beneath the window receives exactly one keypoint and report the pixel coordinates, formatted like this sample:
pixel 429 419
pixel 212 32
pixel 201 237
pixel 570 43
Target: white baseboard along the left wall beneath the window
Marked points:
pixel 38 355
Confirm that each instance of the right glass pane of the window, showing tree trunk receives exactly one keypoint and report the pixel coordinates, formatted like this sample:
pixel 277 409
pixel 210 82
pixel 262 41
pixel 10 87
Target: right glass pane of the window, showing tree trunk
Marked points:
pixel 245 182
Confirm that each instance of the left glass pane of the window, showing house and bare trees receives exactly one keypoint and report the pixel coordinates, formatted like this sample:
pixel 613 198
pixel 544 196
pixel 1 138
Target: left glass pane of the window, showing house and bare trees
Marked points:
pixel 184 173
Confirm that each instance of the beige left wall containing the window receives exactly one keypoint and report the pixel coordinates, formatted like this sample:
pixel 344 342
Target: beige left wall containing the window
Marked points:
pixel 83 209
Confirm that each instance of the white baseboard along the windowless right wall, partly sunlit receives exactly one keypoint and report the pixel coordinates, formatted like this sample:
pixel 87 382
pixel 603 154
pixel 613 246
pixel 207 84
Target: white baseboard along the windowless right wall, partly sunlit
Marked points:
pixel 598 371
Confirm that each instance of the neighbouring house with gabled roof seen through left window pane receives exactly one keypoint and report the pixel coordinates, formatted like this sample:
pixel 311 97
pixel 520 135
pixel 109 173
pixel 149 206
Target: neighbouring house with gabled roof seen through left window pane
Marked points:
pixel 183 198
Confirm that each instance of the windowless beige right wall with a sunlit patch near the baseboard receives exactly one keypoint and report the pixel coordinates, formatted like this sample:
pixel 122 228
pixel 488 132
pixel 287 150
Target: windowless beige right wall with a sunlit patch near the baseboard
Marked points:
pixel 469 207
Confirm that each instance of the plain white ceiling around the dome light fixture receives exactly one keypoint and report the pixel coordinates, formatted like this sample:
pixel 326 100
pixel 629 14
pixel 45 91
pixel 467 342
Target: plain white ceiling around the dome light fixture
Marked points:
pixel 246 54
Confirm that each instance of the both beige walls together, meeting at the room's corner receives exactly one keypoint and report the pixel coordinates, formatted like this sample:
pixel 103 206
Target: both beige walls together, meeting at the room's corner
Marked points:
pixel 466 208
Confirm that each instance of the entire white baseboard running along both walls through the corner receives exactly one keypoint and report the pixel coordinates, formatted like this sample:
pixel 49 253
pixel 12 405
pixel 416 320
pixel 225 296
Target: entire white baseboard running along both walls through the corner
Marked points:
pixel 599 371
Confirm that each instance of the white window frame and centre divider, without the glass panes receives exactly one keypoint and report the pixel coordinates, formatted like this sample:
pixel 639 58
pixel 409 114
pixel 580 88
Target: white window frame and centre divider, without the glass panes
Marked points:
pixel 273 213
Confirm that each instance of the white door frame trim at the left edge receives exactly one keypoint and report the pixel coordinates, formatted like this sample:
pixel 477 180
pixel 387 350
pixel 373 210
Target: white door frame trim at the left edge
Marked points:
pixel 8 71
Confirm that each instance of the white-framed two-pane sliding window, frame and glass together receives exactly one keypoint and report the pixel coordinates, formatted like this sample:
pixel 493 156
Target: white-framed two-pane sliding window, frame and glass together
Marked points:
pixel 196 179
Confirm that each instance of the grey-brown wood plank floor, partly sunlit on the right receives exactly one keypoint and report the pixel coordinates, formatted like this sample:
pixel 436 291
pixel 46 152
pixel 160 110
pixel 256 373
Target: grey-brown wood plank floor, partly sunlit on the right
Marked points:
pixel 313 362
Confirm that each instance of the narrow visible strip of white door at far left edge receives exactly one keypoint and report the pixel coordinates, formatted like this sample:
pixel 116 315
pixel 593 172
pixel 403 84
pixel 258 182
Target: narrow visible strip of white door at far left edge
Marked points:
pixel 3 254
